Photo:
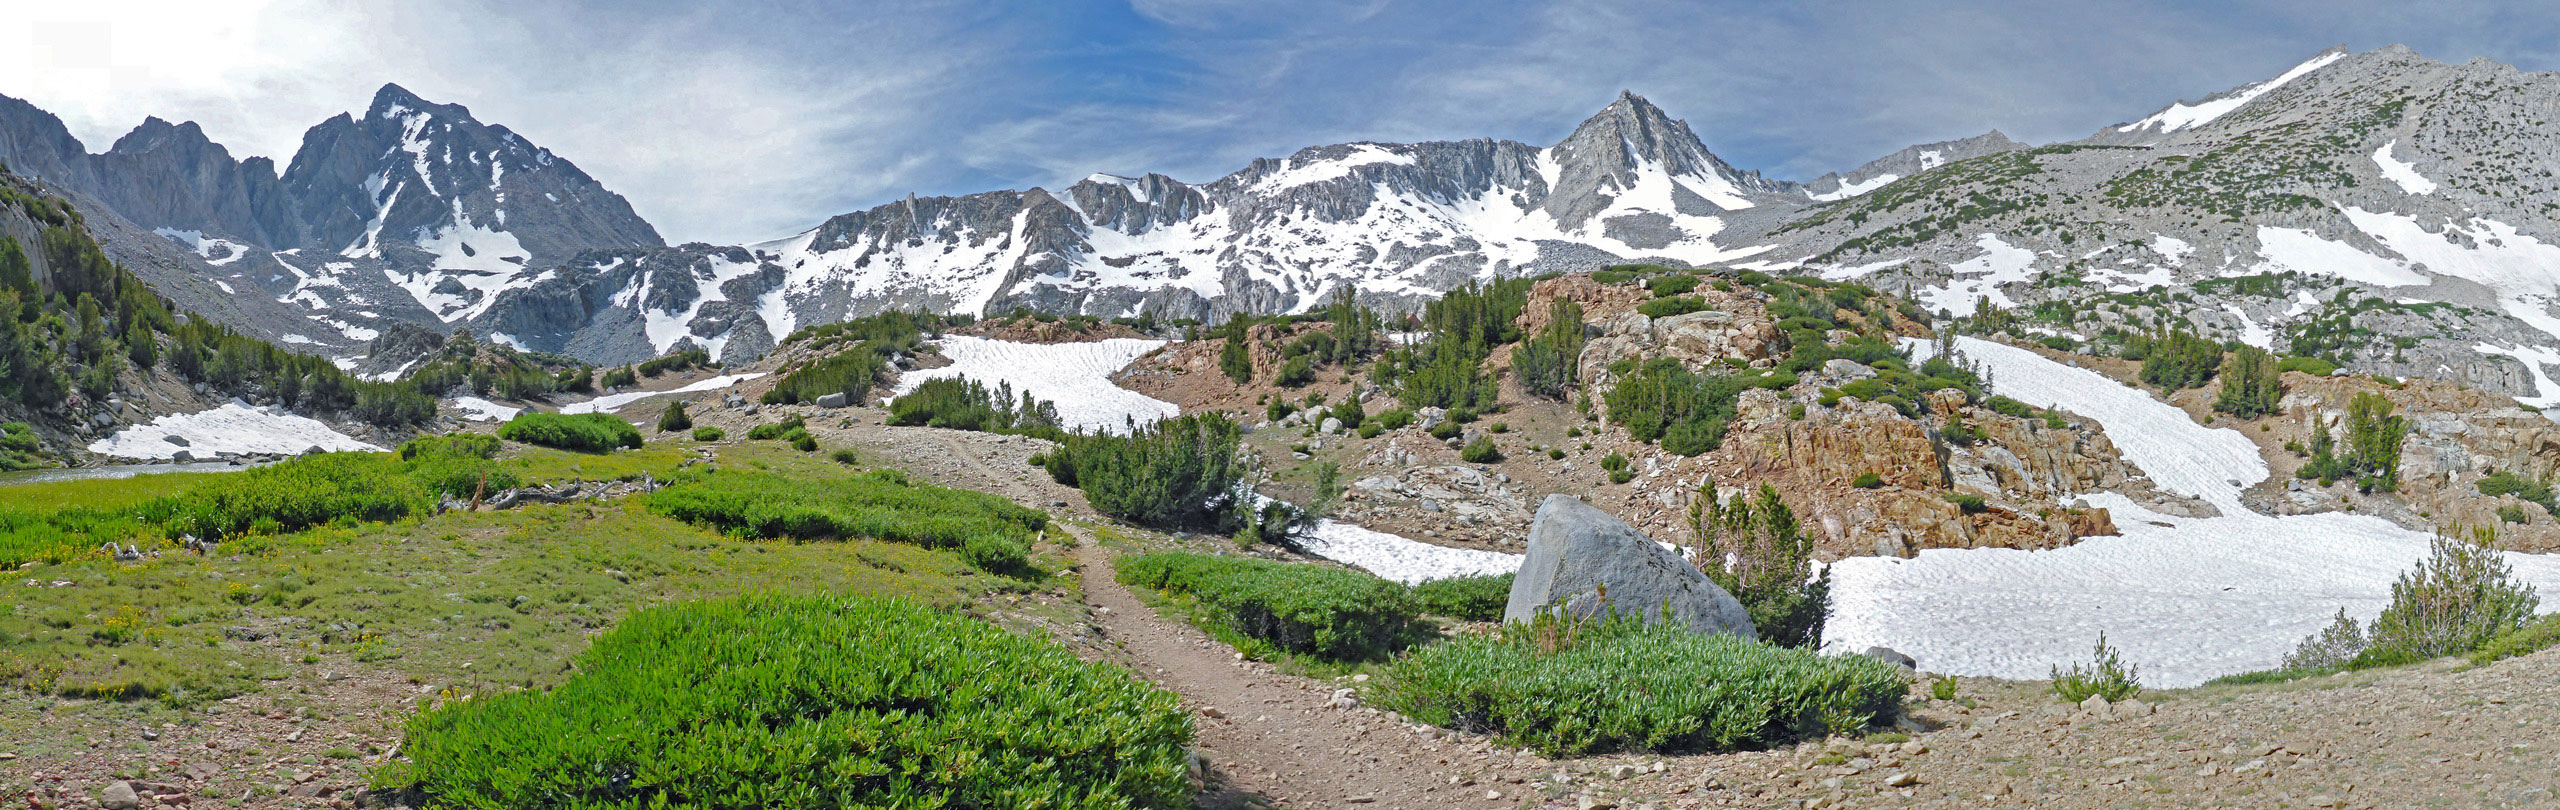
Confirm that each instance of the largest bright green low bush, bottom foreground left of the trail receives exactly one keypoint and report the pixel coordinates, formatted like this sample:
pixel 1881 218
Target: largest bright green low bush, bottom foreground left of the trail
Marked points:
pixel 810 701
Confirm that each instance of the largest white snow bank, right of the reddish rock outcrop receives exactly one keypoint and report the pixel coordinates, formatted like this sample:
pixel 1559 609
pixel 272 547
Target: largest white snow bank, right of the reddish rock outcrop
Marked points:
pixel 2188 599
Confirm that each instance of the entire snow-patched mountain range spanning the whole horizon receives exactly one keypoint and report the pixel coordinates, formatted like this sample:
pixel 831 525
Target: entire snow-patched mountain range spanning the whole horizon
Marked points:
pixel 2382 209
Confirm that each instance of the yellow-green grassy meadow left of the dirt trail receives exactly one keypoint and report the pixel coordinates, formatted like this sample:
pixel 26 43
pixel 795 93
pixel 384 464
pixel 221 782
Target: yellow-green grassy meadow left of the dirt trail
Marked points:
pixel 508 593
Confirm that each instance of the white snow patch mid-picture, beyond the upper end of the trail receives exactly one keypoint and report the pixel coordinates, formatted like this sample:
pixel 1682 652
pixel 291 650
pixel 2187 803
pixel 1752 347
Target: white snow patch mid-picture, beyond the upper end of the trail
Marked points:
pixel 1071 376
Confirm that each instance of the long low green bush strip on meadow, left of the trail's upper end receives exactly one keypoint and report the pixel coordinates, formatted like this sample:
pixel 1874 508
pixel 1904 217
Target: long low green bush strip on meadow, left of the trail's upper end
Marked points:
pixel 989 532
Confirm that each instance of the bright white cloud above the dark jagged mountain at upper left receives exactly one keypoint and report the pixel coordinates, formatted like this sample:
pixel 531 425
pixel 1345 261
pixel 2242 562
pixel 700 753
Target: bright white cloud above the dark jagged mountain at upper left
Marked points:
pixel 710 135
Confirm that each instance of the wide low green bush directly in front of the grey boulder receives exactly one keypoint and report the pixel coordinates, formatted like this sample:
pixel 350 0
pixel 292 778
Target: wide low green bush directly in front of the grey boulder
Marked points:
pixel 1619 686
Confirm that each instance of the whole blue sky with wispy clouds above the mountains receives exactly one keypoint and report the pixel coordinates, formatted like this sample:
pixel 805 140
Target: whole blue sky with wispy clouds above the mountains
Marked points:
pixel 741 122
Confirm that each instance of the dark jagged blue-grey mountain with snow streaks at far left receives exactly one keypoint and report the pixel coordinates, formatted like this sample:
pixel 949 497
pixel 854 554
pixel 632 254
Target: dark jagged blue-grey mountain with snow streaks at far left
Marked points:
pixel 406 214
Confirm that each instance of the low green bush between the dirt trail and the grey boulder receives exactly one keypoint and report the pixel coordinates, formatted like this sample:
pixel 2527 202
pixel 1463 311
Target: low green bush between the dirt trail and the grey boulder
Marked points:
pixel 1330 614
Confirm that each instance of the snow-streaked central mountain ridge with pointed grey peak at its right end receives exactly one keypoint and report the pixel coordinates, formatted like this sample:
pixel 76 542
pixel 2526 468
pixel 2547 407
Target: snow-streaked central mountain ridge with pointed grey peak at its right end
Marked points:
pixel 1396 222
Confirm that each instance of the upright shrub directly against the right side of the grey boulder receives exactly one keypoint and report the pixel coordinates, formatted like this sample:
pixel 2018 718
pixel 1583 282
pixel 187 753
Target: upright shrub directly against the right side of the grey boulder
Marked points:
pixel 1757 552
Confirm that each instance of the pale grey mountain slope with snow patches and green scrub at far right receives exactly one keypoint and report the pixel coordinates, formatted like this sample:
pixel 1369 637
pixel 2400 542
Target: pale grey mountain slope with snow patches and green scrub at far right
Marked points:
pixel 2380 209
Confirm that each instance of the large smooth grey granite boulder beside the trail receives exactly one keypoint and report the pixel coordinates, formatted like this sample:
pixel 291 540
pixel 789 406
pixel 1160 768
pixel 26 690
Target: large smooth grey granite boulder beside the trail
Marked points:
pixel 1578 550
